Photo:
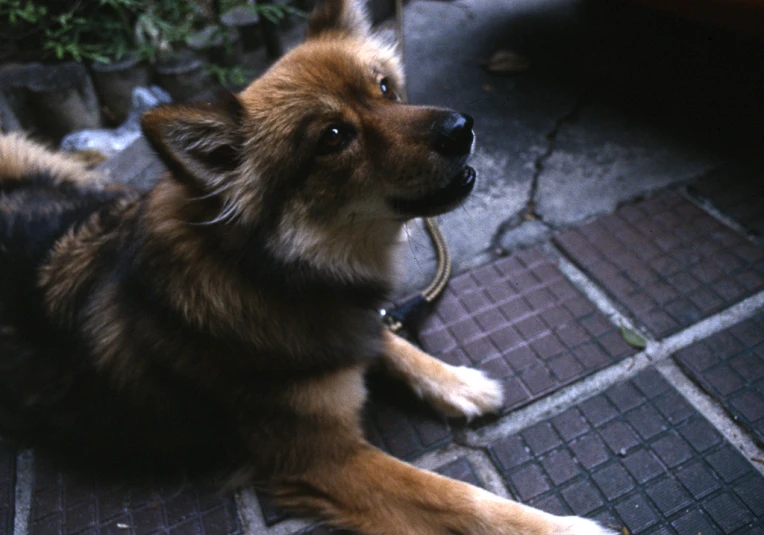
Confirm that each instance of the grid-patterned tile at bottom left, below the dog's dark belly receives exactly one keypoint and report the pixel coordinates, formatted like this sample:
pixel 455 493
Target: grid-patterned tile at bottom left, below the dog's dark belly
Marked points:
pixel 67 503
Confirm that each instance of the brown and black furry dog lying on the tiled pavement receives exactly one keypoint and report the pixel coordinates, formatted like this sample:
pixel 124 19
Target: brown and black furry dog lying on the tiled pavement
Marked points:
pixel 231 311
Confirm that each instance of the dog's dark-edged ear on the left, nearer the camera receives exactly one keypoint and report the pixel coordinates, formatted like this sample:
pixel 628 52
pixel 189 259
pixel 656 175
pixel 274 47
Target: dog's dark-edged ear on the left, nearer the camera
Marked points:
pixel 200 141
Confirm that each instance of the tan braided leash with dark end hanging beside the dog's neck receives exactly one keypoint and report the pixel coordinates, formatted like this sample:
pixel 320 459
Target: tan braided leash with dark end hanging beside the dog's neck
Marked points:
pixel 407 313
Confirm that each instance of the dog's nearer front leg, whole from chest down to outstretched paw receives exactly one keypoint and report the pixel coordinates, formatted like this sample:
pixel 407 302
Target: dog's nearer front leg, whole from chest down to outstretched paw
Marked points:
pixel 324 467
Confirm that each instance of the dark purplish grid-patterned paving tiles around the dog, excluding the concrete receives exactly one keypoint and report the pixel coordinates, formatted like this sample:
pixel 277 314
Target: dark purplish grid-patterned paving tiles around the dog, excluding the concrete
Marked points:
pixel 636 455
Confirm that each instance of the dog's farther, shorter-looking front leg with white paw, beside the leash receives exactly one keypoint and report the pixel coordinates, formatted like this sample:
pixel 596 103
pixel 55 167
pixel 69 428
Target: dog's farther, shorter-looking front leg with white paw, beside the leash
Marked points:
pixel 453 391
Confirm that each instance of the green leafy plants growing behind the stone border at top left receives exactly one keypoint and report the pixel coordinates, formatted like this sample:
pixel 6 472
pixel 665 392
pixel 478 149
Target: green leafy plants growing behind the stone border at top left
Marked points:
pixel 104 30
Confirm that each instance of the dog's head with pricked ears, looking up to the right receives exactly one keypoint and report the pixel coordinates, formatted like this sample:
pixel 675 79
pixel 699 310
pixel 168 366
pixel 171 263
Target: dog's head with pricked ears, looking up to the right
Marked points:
pixel 322 140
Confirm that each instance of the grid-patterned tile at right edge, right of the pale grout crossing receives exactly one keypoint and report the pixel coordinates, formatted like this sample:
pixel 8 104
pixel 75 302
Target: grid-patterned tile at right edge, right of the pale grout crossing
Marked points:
pixel 730 366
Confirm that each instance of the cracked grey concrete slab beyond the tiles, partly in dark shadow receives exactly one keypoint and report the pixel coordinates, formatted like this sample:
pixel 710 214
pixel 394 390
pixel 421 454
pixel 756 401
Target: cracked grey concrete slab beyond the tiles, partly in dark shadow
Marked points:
pixel 618 102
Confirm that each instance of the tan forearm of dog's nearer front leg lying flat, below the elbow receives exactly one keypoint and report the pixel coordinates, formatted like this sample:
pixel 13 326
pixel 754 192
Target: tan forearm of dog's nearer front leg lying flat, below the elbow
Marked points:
pixel 375 494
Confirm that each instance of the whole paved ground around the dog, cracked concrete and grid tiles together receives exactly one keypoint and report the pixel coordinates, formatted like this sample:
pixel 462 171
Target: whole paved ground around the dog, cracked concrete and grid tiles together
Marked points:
pixel 609 270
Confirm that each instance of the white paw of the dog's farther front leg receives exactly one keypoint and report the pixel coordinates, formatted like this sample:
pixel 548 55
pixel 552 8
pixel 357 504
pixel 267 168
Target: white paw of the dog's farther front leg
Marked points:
pixel 462 392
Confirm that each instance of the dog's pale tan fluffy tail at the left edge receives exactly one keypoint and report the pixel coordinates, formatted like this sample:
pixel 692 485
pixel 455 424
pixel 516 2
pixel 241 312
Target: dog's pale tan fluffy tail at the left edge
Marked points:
pixel 22 158
